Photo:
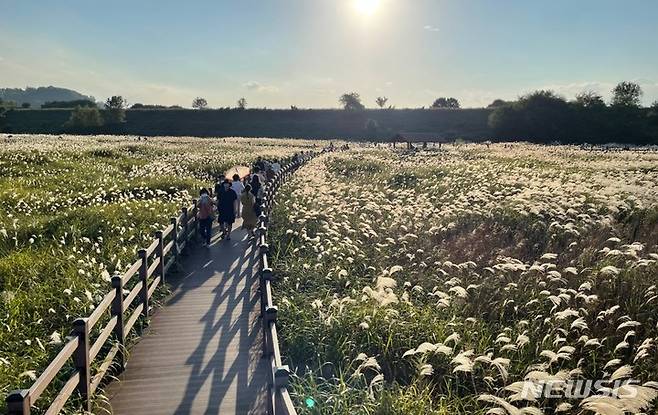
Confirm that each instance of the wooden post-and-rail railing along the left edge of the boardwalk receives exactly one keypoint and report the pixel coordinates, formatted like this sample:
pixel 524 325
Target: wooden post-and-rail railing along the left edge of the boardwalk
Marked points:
pixel 85 344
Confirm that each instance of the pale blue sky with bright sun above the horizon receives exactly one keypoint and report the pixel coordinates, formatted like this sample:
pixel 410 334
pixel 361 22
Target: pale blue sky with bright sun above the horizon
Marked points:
pixel 278 53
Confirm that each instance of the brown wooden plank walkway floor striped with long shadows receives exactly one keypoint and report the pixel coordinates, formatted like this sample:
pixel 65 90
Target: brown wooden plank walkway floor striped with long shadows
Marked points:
pixel 202 352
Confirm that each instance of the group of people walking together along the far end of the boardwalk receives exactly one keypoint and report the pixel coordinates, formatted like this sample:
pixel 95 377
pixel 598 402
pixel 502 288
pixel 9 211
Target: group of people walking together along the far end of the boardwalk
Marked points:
pixel 238 197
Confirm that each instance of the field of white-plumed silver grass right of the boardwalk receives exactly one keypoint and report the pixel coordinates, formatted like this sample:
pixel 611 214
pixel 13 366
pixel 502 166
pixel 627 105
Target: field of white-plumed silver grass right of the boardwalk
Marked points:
pixel 475 279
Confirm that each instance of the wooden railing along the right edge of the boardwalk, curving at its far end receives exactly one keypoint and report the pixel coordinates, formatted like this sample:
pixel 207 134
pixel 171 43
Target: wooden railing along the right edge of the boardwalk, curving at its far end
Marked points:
pixel 278 400
